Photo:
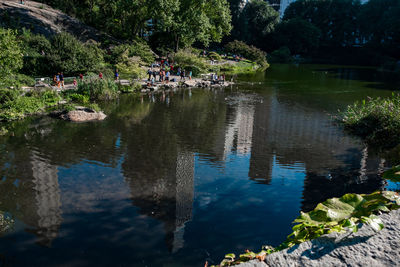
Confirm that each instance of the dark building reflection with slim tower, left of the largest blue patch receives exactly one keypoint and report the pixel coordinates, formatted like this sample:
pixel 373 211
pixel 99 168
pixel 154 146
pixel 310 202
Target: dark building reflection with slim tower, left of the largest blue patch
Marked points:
pixel 168 198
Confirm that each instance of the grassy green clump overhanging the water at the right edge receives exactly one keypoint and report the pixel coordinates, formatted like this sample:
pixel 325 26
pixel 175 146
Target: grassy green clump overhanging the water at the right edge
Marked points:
pixel 377 120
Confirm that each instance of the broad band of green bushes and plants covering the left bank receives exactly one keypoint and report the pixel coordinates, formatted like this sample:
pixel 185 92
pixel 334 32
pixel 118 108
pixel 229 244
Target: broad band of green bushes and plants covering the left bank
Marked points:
pixel 19 98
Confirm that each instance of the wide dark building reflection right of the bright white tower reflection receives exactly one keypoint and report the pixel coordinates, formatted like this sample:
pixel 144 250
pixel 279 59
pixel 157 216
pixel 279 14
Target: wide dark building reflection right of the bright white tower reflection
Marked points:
pixel 335 164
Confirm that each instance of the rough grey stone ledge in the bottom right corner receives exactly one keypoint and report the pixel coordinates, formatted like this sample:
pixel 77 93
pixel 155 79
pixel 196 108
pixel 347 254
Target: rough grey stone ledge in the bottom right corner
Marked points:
pixel 364 248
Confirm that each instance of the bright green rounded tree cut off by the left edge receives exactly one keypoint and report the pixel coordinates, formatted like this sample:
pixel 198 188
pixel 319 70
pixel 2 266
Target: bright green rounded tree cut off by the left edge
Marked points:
pixel 10 56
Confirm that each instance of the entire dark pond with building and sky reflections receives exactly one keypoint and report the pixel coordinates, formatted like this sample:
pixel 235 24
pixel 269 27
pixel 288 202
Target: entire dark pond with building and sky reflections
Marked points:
pixel 180 178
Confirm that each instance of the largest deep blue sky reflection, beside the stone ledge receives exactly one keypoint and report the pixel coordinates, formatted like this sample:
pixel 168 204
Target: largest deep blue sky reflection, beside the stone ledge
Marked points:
pixel 246 215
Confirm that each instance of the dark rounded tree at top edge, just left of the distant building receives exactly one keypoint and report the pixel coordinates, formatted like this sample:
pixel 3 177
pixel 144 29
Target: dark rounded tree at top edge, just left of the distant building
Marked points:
pixel 257 20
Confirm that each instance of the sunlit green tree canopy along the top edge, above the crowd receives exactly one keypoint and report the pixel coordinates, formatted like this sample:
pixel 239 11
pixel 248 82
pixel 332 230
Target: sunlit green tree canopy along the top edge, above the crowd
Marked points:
pixel 181 22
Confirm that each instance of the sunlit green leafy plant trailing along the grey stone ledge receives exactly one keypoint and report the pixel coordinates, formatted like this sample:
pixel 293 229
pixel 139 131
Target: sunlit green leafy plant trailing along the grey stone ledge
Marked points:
pixel 348 212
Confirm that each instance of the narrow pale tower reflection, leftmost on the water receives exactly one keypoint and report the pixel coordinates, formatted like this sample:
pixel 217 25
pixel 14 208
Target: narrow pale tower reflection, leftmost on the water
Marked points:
pixel 47 197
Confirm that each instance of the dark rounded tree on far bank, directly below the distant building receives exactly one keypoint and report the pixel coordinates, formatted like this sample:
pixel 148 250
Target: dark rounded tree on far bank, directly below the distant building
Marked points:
pixel 299 35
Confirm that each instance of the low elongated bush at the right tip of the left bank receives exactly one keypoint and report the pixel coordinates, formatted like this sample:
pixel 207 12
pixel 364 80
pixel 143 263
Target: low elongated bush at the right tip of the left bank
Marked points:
pixel 248 51
